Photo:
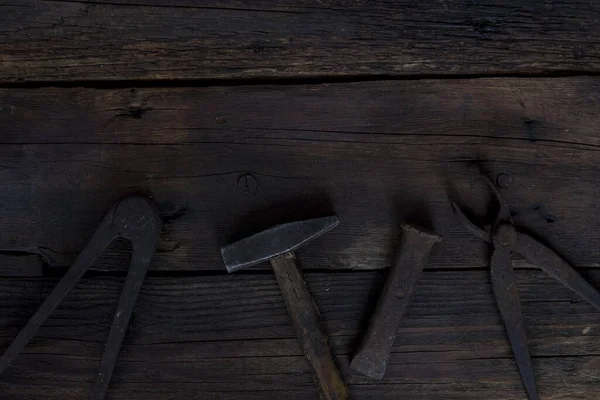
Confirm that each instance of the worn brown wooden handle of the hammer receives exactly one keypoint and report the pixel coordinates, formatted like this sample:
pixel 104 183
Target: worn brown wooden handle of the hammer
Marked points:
pixel 309 329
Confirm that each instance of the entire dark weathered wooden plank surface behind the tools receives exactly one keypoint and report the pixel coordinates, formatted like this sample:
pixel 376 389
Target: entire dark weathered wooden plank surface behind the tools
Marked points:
pixel 235 115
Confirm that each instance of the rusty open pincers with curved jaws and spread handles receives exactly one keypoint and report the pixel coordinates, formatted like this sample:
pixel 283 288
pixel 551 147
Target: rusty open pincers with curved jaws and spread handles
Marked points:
pixel 505 240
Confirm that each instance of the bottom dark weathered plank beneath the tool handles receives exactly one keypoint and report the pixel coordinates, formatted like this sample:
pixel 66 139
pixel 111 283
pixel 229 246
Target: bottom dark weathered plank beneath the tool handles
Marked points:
pixel 230 336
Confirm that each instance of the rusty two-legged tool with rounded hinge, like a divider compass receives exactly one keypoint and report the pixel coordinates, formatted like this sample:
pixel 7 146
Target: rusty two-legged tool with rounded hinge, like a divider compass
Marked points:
pixel 135 219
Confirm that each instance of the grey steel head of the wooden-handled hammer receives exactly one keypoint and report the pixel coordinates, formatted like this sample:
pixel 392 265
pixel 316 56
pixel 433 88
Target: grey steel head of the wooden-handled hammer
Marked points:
pixel 274 241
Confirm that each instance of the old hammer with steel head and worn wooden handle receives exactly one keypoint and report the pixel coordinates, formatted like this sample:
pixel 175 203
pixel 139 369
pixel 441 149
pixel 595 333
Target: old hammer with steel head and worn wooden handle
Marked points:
pixel 277 245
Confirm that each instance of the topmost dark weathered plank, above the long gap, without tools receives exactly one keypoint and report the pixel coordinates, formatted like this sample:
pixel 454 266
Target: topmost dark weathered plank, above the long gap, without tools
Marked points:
pixel 157 39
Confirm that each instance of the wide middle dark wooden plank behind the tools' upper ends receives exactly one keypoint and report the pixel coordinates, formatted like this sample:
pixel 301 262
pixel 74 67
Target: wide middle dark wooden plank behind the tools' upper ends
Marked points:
pixel 225 162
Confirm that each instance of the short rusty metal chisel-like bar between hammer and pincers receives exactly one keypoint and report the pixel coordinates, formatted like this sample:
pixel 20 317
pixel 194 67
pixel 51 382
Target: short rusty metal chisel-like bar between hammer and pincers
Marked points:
pixel 374 350
